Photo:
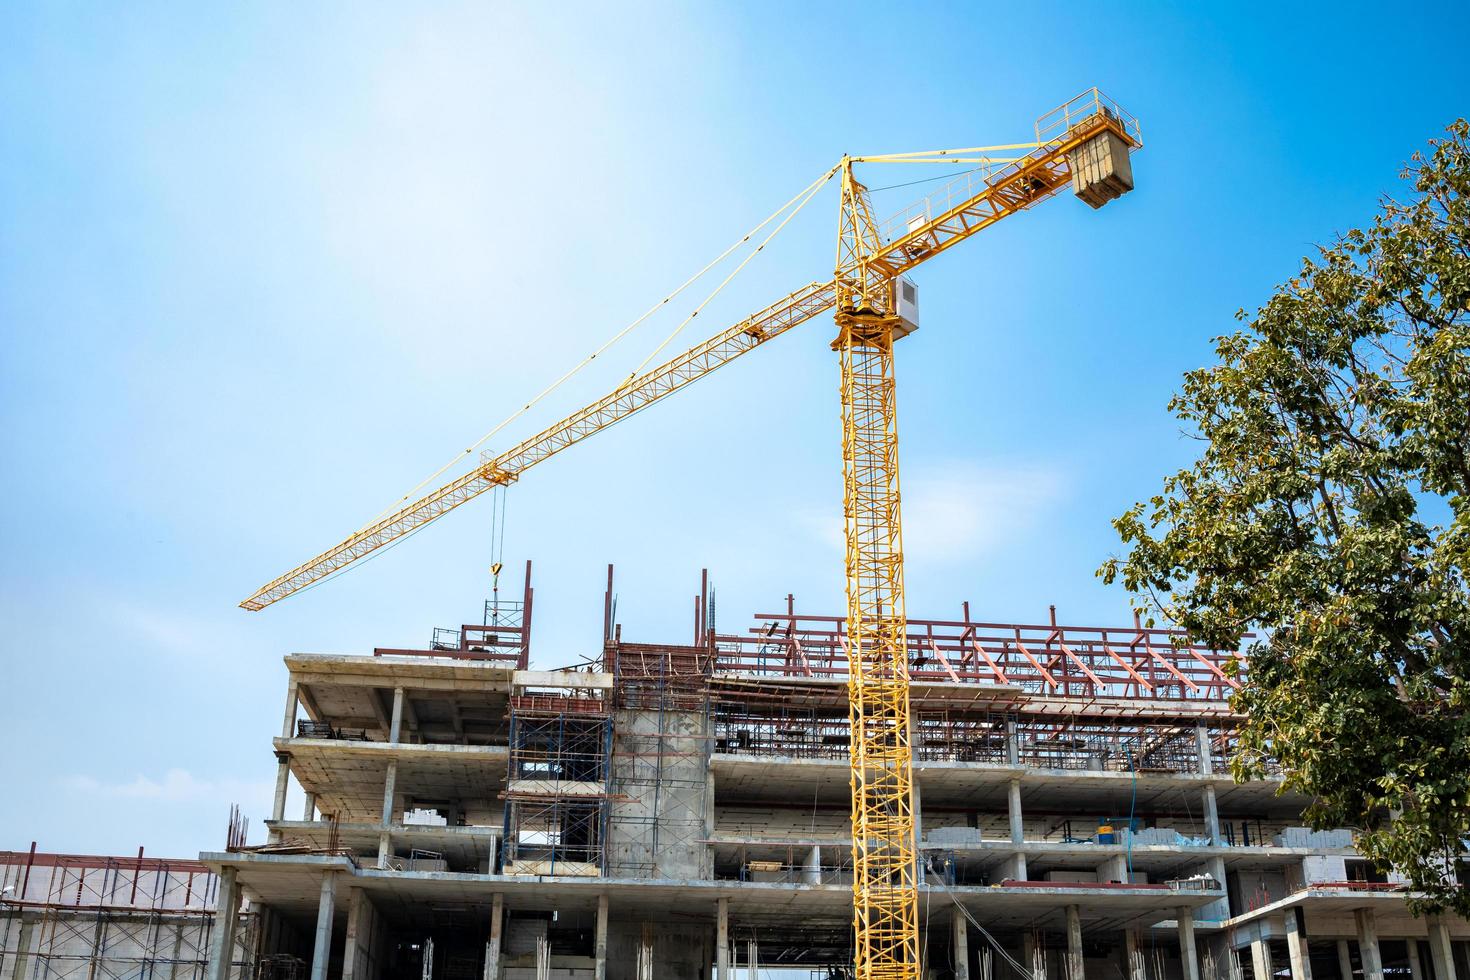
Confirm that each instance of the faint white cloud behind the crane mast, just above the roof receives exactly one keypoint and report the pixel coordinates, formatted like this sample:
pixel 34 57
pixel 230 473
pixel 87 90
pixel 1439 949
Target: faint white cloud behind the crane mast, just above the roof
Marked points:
pixel 964 511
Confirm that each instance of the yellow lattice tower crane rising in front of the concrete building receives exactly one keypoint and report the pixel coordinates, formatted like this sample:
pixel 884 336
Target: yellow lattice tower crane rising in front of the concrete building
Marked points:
pixel 1086 142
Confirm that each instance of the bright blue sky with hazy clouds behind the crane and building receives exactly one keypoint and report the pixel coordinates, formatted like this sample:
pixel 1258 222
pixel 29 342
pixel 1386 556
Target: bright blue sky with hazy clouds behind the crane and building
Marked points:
pixel 264 268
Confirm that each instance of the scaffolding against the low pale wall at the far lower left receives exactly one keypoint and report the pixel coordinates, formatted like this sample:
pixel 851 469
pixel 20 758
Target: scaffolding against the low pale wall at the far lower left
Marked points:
pixel 77 918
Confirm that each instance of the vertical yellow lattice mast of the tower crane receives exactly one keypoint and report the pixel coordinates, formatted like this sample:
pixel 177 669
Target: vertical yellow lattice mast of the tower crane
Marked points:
pixel 886 910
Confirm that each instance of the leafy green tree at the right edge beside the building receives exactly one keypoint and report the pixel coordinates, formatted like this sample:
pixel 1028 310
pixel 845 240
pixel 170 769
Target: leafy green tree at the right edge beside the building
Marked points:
pixel 1330 515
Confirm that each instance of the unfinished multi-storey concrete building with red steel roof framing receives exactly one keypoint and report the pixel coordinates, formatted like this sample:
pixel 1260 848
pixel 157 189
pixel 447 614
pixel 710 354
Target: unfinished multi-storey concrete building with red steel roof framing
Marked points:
pixel 683 810
